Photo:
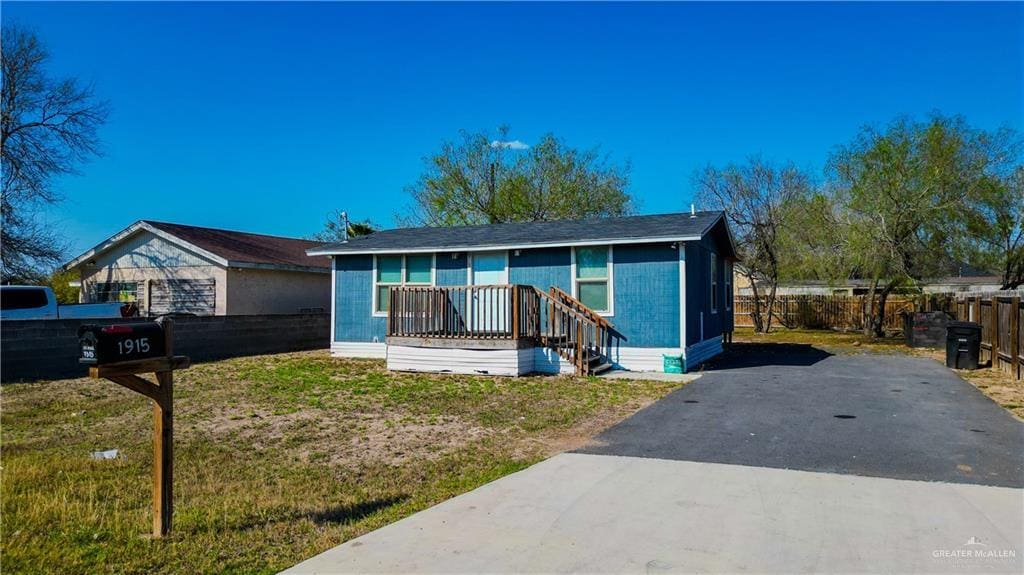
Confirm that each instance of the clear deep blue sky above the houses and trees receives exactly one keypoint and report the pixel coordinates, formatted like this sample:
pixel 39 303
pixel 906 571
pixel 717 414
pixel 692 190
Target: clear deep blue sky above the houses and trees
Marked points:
pixel 266 117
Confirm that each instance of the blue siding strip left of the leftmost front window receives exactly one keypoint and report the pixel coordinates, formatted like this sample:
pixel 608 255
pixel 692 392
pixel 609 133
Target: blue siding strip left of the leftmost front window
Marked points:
pixel 354 301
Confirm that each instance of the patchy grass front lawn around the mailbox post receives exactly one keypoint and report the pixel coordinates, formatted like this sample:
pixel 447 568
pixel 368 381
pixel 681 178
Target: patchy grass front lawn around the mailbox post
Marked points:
pixel 277 458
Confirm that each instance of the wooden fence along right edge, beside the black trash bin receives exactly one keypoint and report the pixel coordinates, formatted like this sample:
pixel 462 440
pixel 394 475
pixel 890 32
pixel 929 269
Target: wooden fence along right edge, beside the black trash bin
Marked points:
pixel 1002 336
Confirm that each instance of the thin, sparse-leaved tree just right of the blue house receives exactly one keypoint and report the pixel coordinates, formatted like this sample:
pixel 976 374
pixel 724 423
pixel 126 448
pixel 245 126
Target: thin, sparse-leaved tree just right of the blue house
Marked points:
pixel 755 198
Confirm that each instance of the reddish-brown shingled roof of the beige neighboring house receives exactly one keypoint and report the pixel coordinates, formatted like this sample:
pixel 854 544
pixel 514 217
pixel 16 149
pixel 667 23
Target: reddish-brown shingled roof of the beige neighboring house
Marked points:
pixel 230 249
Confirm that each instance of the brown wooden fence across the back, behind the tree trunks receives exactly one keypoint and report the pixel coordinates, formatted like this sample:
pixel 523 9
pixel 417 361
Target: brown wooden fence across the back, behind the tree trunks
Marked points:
pixel 831 313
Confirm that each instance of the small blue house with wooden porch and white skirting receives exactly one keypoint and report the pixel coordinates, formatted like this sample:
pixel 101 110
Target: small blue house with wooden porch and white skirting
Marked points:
pixel 540 297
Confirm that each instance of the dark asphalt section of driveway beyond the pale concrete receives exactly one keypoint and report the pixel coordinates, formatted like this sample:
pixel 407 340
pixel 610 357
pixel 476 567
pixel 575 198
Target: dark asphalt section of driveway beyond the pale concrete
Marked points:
pixel 794 407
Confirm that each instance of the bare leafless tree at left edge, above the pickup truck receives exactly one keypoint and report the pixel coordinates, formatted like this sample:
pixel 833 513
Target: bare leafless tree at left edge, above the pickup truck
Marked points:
pixel 48 128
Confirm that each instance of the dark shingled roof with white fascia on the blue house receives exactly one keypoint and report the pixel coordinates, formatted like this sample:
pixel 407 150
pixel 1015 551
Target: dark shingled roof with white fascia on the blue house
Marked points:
pixel 625 230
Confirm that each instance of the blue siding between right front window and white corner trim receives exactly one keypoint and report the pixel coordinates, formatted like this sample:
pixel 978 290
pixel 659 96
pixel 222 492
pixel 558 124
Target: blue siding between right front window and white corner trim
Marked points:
pixel 647 294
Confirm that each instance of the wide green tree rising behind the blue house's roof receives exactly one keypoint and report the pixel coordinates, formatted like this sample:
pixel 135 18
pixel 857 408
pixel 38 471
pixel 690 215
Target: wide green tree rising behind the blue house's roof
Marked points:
pixel 480 180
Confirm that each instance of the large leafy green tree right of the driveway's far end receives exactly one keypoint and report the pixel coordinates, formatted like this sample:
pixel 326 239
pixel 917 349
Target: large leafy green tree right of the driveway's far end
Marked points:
pixel 904 194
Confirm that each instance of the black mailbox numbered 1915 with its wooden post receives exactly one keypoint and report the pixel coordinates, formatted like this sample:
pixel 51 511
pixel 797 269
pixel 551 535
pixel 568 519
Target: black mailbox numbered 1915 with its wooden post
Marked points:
pixel 120 353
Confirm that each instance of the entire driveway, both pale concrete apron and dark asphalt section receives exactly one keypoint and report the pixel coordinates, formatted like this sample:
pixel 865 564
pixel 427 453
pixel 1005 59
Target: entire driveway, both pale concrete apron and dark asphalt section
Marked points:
pixel 782 460
